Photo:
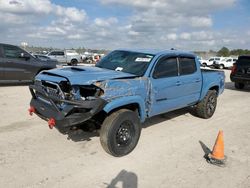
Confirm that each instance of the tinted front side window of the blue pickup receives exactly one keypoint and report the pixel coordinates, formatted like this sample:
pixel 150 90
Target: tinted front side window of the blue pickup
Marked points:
pixel 166 67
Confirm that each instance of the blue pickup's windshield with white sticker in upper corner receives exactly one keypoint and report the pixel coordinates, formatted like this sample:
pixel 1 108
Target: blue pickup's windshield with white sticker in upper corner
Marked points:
pixel 129 62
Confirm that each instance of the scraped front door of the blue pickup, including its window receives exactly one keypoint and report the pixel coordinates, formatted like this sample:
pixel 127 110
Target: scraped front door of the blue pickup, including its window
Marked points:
pixel 165 86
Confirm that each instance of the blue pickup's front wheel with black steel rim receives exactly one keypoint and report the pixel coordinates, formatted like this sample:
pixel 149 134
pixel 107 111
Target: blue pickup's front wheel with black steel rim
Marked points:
pixel 120 132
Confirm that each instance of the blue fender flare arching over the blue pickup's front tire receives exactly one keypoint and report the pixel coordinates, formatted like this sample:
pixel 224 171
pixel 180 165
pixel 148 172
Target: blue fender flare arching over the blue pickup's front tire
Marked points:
pixel 122 101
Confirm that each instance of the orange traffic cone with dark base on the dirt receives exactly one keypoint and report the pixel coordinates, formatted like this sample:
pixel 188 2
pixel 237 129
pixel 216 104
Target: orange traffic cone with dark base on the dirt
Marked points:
pixel 217 156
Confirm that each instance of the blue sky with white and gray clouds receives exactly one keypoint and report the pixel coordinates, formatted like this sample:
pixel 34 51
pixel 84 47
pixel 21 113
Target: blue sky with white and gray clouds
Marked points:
pixel 110 24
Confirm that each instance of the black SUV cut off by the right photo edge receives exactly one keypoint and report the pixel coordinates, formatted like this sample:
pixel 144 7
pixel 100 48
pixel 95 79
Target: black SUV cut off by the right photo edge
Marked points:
pixel 240 74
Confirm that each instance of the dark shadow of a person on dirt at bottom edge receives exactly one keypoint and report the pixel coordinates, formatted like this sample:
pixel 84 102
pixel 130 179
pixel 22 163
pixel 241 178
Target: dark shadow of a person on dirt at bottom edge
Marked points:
pixel 127 179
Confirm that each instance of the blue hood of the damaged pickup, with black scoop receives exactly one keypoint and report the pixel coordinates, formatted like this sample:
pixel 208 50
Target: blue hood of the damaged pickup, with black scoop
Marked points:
pixel 81 75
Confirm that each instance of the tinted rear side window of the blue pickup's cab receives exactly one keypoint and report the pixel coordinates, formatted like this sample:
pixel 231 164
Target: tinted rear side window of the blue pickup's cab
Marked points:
pixel 187 65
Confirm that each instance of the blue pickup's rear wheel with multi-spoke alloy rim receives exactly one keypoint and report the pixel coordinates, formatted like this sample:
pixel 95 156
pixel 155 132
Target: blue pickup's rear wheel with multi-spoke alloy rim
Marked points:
pixel 206 108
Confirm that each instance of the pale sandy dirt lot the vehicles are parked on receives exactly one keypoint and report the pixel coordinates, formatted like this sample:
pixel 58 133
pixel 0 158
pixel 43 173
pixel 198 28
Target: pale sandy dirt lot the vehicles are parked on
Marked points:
pixel 169 153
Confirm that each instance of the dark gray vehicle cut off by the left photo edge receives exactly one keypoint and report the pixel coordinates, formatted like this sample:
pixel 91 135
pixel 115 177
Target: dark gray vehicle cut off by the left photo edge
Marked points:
pixel 18 65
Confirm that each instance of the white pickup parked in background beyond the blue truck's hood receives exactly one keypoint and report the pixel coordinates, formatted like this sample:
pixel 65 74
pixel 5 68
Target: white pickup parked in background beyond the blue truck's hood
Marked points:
pixel 71 57
